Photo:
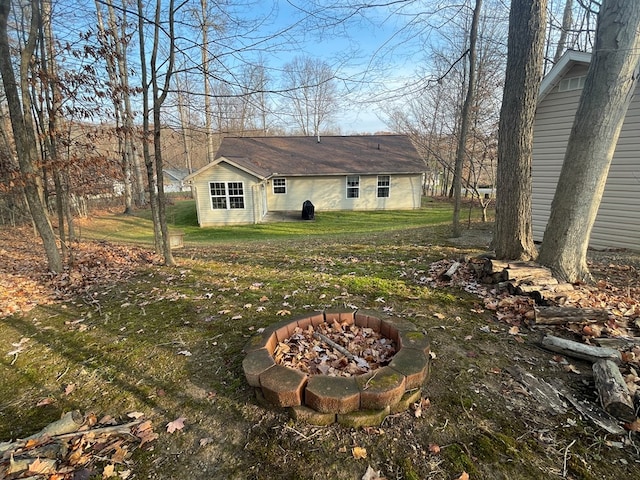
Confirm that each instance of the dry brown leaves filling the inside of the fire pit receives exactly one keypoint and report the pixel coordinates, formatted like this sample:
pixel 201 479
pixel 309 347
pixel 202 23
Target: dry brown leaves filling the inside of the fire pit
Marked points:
pixel 337 349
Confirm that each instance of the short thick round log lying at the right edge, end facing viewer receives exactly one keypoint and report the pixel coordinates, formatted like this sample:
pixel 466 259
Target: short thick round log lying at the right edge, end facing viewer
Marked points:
pixel 612 391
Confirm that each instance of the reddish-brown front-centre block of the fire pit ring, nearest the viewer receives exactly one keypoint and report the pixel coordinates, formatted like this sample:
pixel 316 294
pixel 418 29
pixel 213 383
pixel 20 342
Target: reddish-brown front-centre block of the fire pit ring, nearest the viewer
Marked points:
pixel 332 394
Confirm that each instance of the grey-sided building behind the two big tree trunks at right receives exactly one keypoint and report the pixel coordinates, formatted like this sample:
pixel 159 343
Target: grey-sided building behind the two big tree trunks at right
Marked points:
pixel 617 224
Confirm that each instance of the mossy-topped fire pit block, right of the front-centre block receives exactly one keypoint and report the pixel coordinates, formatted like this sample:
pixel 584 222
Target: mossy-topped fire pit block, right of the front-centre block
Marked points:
pixel 381 388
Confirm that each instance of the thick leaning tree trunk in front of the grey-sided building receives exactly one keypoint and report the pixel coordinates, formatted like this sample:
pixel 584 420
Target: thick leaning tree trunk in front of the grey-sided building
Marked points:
pixel 608 89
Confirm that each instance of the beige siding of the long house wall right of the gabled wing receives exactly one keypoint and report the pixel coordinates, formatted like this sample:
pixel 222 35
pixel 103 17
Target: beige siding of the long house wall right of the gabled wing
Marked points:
pixel 330 193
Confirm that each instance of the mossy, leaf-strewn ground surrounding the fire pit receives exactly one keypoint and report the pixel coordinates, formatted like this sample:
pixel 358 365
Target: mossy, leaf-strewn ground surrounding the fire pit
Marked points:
pixel 168 342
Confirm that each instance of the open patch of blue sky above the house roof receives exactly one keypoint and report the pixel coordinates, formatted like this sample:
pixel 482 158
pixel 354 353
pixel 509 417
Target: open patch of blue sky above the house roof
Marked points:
pixel 370 50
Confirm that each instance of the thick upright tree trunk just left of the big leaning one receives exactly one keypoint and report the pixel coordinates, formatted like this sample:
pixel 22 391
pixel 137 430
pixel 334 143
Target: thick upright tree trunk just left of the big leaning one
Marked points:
pixel 513 235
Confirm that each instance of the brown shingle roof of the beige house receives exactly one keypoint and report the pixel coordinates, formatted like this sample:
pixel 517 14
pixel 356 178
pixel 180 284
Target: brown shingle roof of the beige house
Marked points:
pixel 333 155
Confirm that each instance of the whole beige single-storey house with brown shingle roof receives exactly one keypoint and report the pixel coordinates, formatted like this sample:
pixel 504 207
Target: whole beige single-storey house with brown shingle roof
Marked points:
pixel 252 176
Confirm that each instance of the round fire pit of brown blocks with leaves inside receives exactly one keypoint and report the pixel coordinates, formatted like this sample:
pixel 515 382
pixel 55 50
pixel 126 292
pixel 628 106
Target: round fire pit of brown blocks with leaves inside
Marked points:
pixel 360 388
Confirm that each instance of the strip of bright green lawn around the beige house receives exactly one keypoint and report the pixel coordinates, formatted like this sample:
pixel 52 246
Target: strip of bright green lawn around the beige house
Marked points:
pixel 181 216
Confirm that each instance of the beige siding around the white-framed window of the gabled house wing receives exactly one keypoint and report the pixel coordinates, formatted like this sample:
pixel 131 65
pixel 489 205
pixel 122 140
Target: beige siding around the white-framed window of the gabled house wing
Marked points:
pixel 207 216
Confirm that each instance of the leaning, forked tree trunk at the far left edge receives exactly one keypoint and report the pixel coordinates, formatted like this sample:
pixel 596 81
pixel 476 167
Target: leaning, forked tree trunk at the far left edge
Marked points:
pixel 22 125
